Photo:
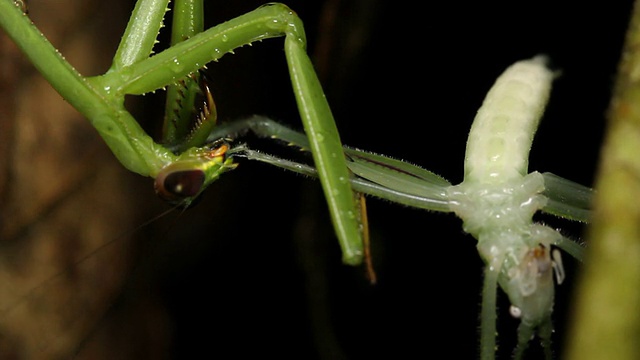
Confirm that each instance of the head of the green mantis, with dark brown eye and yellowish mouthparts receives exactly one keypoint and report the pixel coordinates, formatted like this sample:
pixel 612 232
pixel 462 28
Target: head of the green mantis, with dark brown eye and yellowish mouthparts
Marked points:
pixel 182 181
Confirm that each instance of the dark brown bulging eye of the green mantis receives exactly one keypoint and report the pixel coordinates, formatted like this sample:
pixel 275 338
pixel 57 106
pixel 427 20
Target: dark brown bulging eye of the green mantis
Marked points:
pixel 177 185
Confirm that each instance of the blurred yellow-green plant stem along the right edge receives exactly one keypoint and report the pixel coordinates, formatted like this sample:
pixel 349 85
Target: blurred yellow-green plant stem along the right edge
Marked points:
pixel 607 316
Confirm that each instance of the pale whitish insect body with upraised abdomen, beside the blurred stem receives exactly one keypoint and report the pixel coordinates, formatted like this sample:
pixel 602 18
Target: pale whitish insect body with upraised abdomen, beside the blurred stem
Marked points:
pixel 498 199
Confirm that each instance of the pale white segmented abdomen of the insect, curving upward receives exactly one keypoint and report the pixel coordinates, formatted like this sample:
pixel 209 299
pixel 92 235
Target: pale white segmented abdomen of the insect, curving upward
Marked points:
pixel 502 132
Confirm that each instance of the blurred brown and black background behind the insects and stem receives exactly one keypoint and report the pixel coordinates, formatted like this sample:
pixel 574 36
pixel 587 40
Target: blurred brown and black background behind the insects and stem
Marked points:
pixel 254 268
